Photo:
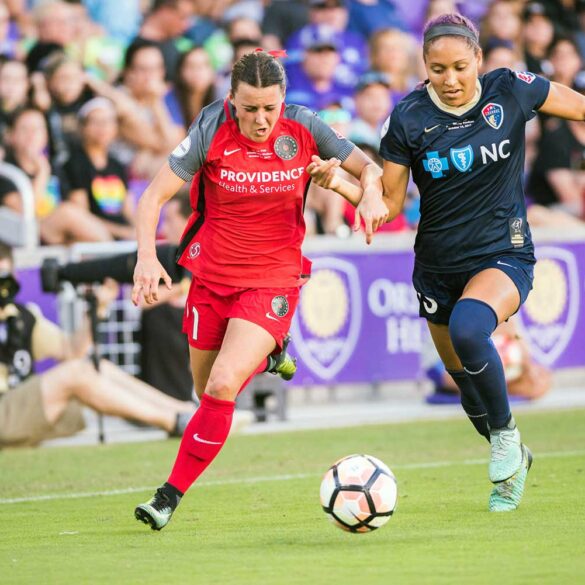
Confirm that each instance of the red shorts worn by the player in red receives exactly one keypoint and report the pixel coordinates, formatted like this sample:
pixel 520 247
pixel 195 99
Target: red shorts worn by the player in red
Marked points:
pixel 210 306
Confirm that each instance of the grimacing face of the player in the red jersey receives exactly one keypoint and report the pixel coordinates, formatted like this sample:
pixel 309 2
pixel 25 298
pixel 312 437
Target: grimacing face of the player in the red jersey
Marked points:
pixel 257 110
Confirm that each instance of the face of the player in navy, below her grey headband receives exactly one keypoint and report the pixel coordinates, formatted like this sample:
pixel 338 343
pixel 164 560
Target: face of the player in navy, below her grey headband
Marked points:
pixel 452 68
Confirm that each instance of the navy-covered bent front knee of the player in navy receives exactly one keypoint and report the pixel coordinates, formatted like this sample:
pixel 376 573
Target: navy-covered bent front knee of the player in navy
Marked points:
pixel 471 325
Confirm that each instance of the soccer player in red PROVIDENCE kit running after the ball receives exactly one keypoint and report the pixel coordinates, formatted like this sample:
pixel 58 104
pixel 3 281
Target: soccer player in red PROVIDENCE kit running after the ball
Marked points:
pixel 246 159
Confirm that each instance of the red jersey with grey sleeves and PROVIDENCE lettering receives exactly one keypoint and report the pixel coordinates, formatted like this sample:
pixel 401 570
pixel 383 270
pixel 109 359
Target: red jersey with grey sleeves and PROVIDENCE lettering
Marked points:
pixel 247 197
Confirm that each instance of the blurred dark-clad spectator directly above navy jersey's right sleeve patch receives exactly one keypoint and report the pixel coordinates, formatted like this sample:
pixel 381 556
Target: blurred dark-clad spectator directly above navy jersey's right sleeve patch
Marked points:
pixel 538 33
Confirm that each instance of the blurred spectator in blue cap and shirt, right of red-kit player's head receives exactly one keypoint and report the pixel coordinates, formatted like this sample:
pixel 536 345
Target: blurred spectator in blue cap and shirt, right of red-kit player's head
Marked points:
pixel 313 83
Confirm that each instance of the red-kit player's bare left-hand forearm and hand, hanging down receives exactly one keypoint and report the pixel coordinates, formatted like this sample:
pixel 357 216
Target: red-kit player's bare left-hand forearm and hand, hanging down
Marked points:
pixel 149 270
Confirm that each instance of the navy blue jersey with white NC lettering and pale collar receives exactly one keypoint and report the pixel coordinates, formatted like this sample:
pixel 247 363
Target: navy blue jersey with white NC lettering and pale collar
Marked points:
pixel 469 170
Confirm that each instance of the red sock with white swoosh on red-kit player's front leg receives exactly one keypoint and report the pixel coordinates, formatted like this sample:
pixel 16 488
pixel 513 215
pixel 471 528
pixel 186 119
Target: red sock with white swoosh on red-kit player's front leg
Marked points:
pixel 202 440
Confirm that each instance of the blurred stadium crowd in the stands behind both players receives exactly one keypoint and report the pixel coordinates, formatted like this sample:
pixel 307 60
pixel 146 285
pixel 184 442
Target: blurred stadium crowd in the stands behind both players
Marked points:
pixel 95 94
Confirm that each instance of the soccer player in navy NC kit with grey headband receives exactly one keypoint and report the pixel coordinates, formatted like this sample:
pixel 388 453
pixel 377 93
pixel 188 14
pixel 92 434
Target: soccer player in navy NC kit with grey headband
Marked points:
pixel 462 137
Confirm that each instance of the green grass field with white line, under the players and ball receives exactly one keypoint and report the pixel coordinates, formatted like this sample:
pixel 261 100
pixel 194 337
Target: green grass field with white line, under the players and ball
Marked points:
pixel 255 517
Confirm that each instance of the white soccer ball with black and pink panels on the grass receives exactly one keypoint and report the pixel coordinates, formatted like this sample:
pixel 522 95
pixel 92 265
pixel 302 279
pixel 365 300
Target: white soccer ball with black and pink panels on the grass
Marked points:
pixel 358 493
